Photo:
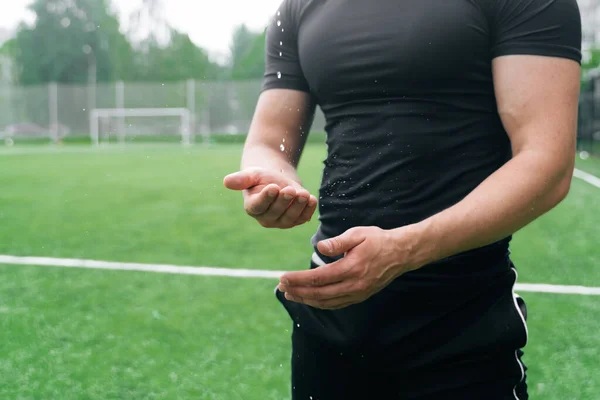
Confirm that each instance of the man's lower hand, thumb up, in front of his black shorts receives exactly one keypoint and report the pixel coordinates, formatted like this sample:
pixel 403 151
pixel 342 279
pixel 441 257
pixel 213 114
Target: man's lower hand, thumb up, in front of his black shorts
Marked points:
pixel 373 258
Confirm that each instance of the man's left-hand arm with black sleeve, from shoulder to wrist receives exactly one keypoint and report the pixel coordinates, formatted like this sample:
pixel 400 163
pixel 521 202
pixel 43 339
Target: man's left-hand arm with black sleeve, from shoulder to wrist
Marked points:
pixel 285 108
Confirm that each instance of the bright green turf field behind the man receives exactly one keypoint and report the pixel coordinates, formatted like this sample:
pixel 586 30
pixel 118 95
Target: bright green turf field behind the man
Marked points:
pixel 83 334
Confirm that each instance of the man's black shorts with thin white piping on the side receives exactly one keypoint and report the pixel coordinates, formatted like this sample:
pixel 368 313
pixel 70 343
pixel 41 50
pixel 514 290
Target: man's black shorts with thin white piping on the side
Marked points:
pixel 416 351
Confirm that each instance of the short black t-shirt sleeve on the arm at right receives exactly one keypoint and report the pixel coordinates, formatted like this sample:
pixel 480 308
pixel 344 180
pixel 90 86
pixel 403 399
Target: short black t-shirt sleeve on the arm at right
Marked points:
pixel 536 27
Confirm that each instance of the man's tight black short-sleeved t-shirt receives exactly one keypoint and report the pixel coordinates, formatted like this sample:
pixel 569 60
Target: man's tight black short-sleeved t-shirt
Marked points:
pixel 412 124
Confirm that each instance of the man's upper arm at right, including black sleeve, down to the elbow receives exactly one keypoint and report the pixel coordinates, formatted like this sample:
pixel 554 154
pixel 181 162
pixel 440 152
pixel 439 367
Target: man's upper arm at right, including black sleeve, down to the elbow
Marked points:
pixel 536 51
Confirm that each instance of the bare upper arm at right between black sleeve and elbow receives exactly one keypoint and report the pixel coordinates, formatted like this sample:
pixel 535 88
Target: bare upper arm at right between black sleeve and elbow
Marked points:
pixel 537 100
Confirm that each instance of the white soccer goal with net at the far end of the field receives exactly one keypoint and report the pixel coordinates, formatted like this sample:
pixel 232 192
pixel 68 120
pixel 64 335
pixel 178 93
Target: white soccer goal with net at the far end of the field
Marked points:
pixel 123 124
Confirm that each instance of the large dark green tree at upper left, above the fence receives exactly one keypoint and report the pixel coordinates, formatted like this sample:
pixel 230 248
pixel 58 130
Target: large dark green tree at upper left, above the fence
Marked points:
pixel 69 39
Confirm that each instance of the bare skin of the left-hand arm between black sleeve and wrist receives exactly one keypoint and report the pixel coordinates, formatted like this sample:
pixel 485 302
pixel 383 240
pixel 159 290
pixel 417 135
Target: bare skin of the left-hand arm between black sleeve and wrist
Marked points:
pixel 282 121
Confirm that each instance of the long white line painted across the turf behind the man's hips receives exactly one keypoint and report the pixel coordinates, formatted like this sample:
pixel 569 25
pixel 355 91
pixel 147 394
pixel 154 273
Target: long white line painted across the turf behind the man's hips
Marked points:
pixel 234 273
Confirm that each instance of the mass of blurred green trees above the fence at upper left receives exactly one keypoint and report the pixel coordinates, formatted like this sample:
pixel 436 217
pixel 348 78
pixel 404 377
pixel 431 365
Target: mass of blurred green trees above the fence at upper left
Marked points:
pixel 69 37
